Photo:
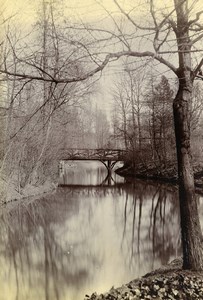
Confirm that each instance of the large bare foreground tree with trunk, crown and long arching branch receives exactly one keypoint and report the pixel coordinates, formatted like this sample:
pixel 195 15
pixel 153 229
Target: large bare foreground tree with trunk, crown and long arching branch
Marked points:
pixel 185 33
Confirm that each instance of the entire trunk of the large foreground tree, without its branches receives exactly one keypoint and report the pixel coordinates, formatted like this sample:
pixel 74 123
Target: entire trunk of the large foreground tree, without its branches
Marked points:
pixel 190 224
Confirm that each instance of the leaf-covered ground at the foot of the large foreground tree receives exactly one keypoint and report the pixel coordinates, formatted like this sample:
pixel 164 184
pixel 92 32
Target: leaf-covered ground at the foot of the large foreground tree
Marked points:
pixel 168 282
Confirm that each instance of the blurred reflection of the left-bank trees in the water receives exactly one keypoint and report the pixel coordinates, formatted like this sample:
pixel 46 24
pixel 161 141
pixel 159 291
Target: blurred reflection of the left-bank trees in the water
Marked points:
pixel 32 237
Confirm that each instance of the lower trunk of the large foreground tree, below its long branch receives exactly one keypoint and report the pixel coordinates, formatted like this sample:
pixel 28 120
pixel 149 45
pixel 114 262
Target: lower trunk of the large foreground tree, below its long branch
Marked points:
pixel 190 225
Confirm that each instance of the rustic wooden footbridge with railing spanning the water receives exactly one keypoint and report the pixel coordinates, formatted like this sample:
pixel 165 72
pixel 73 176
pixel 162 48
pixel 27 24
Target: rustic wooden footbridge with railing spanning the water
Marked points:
pixel 109 157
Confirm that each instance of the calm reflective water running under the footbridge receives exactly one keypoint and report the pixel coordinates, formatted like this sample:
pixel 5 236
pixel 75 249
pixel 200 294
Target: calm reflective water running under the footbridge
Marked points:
pixel 92 234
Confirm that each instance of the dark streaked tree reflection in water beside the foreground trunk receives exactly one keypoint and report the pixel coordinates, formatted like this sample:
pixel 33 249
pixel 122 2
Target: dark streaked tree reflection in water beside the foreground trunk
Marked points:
pixel 152 233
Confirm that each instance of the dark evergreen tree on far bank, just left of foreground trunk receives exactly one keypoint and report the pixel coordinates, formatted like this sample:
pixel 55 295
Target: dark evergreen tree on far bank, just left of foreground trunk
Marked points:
pixel 160 99
